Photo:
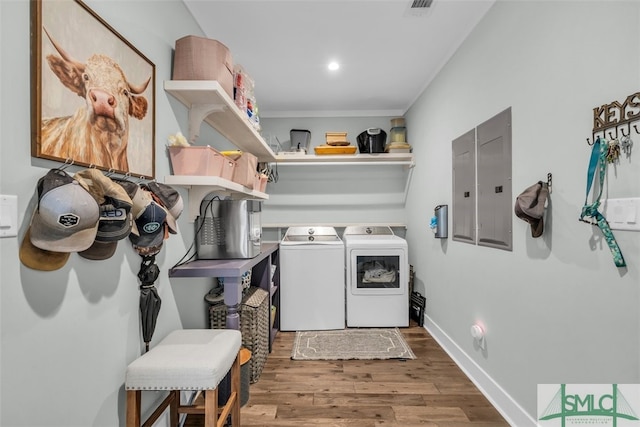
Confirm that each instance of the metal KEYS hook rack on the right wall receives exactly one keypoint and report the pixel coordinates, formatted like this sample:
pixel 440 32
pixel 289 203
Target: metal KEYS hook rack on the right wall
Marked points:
pixel 616 120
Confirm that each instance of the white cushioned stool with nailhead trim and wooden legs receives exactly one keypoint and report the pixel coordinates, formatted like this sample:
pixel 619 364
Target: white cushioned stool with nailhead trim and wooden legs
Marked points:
pixel 190 359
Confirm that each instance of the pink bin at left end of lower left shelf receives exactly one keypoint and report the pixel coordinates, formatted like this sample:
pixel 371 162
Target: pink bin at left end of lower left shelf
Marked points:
pixel 194 160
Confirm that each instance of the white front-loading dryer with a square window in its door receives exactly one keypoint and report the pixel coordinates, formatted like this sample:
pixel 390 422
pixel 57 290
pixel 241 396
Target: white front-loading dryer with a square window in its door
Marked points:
pixel 377 277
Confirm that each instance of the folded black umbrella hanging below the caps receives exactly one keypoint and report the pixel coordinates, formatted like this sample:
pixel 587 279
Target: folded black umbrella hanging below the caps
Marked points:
pixel 149 299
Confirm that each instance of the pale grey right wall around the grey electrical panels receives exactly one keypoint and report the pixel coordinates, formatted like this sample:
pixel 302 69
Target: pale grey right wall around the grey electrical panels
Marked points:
pixel 556 309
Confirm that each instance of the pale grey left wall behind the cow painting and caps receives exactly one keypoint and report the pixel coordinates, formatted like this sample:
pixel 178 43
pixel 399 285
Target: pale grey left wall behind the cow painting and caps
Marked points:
pixel 68 335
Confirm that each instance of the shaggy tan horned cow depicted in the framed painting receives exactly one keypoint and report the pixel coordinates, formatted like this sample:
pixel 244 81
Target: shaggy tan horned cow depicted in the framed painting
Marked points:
pixel 97 133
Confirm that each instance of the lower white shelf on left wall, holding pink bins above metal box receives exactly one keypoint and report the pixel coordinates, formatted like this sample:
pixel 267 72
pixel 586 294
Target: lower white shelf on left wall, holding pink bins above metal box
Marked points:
pixel 200 186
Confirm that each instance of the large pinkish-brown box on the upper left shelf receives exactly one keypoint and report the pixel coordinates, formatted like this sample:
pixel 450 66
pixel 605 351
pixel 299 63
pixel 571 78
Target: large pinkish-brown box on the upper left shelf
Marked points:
pixel 199 58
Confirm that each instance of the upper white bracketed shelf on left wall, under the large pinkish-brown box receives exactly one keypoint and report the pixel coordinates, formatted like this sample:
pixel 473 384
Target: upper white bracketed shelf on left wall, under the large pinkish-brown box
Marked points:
pixel 208 102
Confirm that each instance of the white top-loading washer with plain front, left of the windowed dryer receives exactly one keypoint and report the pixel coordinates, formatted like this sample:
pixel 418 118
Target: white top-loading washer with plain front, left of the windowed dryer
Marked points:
pixel 312 296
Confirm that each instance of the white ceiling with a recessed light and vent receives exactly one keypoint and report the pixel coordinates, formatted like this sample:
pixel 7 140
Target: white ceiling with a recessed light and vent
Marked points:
pixel 388 51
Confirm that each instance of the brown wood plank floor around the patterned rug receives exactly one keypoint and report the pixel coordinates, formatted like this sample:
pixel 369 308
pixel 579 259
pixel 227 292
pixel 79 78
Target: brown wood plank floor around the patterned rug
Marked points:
pixel 428 391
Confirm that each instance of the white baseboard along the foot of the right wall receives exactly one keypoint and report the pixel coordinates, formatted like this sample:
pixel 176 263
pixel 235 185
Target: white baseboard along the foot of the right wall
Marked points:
pixel 512 412
